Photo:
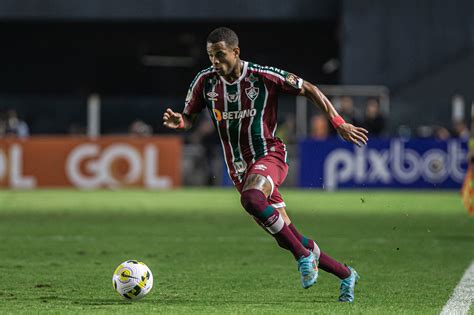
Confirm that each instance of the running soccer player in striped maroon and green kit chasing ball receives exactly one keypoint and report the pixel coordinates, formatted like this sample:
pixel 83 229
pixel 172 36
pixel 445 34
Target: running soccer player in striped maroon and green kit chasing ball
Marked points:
pixel 242 100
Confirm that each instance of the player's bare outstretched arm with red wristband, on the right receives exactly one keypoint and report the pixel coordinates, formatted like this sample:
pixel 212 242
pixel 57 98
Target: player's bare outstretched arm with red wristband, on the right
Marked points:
pixel 349 132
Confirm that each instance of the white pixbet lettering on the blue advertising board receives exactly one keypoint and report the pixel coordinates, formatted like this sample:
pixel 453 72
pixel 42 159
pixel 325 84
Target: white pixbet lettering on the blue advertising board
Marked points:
pixel 394 164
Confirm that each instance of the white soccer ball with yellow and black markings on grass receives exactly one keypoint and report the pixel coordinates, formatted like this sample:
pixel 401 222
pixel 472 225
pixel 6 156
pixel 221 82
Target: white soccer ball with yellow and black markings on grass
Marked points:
pixel 132 280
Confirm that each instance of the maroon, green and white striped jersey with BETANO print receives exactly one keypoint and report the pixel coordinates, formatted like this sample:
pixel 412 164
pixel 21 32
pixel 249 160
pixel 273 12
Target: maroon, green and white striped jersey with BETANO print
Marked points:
pixel 244 112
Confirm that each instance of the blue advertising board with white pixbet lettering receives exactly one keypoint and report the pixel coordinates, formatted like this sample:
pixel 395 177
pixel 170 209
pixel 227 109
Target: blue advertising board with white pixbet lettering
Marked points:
pixel 383 163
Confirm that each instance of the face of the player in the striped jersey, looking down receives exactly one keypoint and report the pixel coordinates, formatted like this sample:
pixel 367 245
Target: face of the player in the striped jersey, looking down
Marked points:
pixel 223 58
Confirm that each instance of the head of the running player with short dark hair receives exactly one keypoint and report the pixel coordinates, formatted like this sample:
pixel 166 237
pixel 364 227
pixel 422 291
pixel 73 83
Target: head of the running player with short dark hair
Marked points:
pixel 223 50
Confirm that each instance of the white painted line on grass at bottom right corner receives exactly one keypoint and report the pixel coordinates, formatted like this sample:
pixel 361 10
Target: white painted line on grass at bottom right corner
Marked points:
pixel 463 294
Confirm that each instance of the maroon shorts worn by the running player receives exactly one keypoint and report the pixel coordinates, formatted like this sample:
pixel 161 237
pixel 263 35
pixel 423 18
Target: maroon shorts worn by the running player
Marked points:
pixel 274 168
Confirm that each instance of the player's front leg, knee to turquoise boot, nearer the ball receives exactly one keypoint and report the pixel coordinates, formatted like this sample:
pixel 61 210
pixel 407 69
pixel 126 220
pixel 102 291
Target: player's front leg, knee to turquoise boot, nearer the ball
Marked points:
pixel 256 190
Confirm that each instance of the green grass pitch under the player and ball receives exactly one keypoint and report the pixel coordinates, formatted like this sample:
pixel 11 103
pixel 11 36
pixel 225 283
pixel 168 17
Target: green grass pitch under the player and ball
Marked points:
pixel 59 248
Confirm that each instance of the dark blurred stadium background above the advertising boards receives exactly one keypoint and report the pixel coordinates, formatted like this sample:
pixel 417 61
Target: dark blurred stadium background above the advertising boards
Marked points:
pixel 55 53
